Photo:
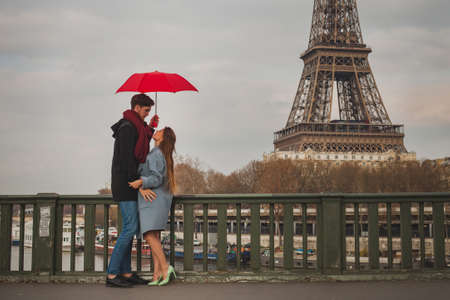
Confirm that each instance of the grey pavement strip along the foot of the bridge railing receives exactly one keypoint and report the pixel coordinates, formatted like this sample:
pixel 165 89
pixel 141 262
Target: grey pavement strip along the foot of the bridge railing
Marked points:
pixel 385 290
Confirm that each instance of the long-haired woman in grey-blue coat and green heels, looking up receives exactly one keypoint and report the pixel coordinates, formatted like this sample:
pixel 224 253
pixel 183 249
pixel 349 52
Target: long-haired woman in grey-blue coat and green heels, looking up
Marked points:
pixel 157 175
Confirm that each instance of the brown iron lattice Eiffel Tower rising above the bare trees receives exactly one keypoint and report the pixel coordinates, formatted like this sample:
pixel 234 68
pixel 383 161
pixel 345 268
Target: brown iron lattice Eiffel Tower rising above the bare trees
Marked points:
pixel 336 63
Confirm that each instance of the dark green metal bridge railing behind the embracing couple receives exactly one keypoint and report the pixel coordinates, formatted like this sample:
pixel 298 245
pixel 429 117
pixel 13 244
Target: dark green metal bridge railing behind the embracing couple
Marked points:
pixel 324 250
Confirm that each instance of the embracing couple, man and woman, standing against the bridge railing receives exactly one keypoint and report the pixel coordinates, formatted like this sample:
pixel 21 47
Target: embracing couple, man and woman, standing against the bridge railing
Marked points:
pixel 143 183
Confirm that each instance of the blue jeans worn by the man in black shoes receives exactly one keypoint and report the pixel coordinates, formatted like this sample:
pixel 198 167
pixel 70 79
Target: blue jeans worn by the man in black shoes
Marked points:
pixel 120 262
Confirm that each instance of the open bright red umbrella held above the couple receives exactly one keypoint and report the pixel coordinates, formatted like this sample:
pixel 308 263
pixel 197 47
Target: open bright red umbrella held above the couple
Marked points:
pixel 156 82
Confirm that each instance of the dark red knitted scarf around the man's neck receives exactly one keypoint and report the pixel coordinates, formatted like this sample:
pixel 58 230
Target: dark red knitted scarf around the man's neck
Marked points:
pixel 145 134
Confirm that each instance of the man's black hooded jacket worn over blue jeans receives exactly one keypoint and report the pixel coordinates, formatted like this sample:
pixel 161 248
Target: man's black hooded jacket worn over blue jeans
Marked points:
pixel 124 165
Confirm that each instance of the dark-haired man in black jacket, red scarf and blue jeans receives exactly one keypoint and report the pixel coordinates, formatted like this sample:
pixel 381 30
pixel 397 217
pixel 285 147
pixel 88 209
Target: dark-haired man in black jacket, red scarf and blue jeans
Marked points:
pixel 132 137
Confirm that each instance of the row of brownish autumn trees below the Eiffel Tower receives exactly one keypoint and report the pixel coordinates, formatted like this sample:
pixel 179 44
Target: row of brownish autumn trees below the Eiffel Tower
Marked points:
pixel 290 176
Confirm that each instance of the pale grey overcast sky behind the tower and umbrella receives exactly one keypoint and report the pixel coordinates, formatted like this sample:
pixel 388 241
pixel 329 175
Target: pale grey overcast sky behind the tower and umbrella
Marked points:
pixel 61 62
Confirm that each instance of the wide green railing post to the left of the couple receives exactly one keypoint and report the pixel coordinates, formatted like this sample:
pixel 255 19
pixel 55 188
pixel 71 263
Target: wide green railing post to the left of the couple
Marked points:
pixel 44 217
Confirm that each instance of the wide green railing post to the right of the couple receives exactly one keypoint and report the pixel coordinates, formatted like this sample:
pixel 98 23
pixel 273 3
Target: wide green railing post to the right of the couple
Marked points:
pixel 331 235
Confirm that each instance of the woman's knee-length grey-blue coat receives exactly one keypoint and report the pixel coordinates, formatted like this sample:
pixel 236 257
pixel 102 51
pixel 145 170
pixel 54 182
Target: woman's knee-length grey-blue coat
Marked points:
pixel 154 215
